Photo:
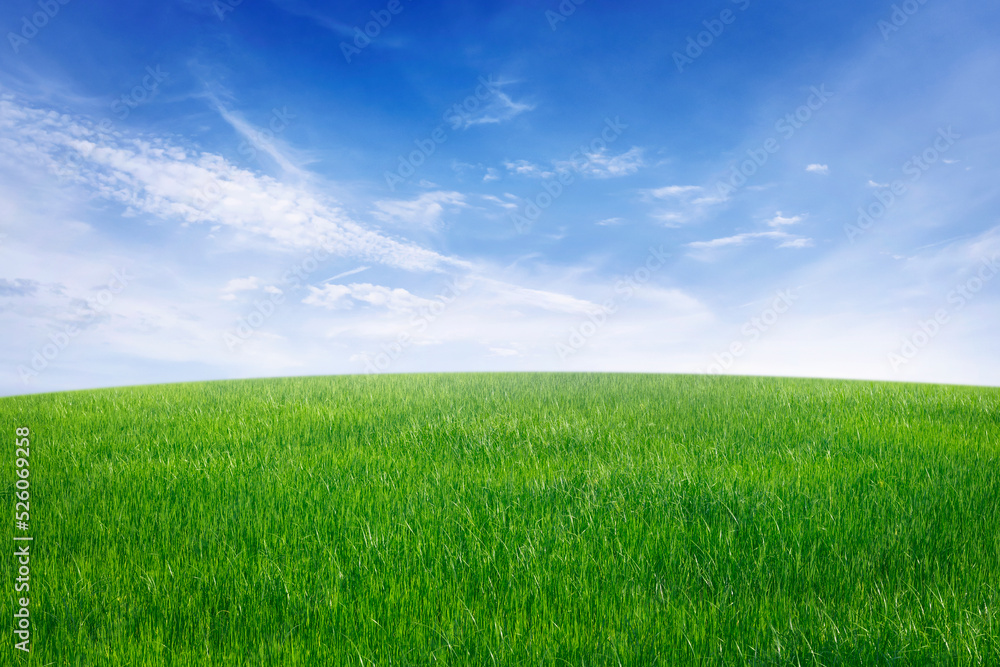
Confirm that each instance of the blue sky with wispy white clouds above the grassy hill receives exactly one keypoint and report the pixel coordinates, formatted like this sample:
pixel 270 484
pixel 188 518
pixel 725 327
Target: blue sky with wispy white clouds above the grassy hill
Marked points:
pixel 212 189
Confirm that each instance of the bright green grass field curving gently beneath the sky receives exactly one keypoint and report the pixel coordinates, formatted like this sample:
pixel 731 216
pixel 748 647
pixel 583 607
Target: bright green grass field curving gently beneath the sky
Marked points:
pixel 510 520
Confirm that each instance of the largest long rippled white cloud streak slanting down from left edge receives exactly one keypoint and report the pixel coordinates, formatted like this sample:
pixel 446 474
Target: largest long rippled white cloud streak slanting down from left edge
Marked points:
pixel 154 177
